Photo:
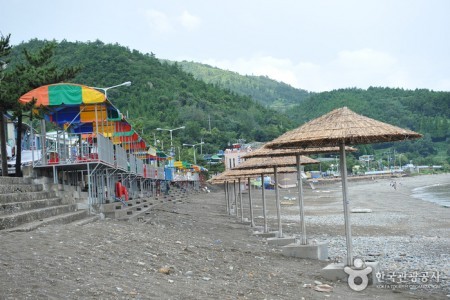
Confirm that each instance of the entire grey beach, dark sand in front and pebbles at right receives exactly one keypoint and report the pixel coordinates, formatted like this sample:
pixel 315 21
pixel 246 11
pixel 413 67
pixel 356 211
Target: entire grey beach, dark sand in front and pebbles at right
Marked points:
pixel 195 250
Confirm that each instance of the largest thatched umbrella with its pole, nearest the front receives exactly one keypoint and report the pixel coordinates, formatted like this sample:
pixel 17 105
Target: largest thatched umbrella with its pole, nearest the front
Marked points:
pixel 342 127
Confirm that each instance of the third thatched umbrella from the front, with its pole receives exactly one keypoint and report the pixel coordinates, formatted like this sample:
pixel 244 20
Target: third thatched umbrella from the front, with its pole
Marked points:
pixel 275 162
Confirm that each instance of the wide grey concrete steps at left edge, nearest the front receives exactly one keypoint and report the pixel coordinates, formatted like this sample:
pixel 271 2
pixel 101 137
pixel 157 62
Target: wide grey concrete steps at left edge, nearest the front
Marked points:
pixel 25 206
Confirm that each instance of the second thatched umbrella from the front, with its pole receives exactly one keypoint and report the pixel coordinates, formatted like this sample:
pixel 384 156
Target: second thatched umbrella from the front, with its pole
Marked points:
pixel 265 152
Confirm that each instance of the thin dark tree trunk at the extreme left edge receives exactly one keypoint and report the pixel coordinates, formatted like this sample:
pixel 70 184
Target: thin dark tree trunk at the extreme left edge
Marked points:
pixel 5 49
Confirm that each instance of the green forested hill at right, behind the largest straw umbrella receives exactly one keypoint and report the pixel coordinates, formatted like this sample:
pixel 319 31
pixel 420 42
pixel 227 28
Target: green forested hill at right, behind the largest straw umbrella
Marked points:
pixel 424 111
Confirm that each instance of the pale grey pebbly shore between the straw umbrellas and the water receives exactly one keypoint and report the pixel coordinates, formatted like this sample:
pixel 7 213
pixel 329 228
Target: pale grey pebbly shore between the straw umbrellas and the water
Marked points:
pixel 405 234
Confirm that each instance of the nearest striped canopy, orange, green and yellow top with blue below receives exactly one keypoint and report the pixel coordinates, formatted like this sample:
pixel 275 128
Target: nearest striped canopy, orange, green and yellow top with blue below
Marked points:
pixel 84 110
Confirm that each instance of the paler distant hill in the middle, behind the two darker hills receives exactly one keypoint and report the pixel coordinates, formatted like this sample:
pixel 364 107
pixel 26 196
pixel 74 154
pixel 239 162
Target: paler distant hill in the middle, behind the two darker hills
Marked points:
pixel 277 95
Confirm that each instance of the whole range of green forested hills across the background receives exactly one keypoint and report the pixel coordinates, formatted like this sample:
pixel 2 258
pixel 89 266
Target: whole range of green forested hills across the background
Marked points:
pixel 164 95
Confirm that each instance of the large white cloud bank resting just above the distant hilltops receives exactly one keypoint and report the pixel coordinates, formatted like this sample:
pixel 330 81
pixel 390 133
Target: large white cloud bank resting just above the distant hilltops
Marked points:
pixel 359 68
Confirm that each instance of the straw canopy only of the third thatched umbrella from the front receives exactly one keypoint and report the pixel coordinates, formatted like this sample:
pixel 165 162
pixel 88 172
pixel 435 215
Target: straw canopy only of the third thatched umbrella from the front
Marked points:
pixel 261 162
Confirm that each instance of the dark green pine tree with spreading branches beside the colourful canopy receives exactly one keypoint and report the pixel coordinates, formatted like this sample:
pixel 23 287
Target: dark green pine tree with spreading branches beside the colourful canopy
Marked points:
pixel 37 70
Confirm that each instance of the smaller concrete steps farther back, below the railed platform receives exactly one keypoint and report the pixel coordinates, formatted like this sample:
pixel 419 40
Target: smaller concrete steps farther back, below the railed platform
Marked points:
pixel 137 209
